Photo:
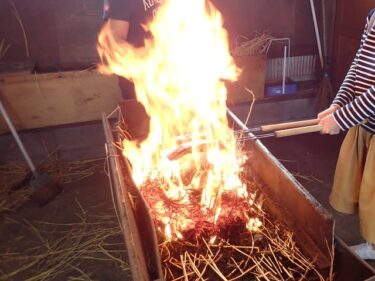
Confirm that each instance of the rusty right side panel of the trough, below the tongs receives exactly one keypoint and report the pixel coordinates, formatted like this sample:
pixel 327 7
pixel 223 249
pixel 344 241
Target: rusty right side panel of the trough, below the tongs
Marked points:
pixel 291 203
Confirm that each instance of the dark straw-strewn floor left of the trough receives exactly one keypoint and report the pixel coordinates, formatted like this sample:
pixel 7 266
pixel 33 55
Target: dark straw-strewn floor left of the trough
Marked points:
pixel 70 230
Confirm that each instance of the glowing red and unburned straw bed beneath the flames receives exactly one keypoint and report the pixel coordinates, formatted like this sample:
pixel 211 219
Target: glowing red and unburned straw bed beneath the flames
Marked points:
pixel 226 250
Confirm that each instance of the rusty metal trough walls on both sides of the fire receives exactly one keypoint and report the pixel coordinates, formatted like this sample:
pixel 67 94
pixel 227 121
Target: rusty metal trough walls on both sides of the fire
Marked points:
pixel 285 198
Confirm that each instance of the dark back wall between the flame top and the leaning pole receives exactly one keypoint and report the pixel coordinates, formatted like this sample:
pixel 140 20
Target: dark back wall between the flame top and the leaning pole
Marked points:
pixel 283 18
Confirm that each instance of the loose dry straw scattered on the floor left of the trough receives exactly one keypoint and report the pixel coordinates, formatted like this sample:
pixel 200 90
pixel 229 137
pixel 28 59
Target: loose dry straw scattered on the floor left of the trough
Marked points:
pixel 70 250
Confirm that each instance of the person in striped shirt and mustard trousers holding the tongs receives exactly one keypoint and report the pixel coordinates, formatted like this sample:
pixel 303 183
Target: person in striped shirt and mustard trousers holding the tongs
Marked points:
pixel 353 110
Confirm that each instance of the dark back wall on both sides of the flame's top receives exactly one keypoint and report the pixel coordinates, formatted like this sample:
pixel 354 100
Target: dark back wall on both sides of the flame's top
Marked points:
pixel 61 34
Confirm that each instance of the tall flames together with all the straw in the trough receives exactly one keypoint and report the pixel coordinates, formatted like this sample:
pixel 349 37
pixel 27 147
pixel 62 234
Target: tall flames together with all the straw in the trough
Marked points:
pixel 187 169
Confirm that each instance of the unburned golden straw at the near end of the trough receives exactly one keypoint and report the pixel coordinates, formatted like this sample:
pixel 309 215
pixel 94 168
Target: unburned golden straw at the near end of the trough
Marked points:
pixel 268 255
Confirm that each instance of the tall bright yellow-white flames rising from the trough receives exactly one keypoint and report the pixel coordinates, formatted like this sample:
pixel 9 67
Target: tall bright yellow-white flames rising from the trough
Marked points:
pixel 179 77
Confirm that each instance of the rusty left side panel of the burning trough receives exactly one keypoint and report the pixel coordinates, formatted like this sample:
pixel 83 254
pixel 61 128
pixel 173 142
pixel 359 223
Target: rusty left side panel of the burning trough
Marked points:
pixel 135 220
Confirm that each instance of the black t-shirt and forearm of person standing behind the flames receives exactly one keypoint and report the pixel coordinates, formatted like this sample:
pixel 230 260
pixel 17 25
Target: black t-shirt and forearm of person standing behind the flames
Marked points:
pixel 136 12
